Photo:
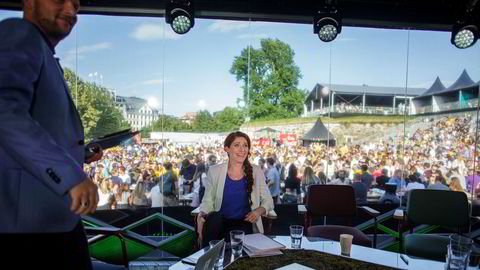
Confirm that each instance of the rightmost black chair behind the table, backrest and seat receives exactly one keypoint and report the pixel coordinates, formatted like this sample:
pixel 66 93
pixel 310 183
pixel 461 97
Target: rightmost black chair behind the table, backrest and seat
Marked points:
pixel 434 207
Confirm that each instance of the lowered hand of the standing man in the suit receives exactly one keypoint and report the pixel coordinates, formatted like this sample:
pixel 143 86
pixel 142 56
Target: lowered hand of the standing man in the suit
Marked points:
pixel 84 197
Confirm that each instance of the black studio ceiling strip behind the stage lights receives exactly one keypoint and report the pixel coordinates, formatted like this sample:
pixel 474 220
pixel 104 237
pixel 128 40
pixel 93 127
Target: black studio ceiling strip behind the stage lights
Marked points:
pixel 398 14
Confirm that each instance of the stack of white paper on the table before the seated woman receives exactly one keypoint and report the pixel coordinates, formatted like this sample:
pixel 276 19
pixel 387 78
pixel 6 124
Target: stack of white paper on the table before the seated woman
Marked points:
pixel 259 245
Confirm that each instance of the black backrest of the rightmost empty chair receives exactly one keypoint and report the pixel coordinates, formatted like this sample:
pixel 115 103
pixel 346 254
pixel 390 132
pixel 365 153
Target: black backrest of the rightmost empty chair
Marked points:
pixel 438 207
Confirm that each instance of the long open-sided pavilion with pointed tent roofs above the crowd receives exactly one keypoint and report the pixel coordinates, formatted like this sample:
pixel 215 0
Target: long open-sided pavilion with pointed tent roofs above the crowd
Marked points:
pixel 363 99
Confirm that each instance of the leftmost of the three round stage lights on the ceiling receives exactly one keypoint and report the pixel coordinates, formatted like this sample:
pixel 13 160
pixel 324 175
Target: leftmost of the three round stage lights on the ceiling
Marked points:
pixel 180 15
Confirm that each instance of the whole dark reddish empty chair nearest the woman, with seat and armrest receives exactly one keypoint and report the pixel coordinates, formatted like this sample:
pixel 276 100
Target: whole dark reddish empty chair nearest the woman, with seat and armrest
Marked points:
pixel 336 201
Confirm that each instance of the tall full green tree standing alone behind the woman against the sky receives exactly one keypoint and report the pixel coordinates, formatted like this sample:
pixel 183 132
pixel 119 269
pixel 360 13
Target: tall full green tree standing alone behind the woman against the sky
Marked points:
pixel 274 77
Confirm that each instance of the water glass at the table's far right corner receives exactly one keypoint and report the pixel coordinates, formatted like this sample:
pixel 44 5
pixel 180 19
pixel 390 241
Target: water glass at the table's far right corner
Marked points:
pixel 458 252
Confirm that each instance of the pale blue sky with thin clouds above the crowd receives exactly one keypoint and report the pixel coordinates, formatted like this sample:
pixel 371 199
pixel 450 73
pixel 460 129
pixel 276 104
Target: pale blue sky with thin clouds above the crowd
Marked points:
pixel 142 56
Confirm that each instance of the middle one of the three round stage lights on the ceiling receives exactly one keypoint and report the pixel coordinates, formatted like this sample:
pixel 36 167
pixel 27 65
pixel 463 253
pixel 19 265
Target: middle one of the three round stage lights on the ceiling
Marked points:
pixel 327 24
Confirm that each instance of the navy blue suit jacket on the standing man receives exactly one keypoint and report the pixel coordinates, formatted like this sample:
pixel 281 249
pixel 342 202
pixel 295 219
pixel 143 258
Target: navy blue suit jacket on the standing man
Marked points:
pixel 41 135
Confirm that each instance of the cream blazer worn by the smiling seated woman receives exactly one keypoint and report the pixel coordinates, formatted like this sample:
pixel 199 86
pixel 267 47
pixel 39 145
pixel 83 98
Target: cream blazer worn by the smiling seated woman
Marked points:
pixel 215 184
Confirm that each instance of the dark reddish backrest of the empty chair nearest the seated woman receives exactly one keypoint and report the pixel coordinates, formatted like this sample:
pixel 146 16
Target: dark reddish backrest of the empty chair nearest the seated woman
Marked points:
pixel 331 200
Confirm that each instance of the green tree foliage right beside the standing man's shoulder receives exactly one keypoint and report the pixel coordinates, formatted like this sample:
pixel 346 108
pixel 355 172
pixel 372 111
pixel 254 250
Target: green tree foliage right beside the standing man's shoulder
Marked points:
pixel 95 106
